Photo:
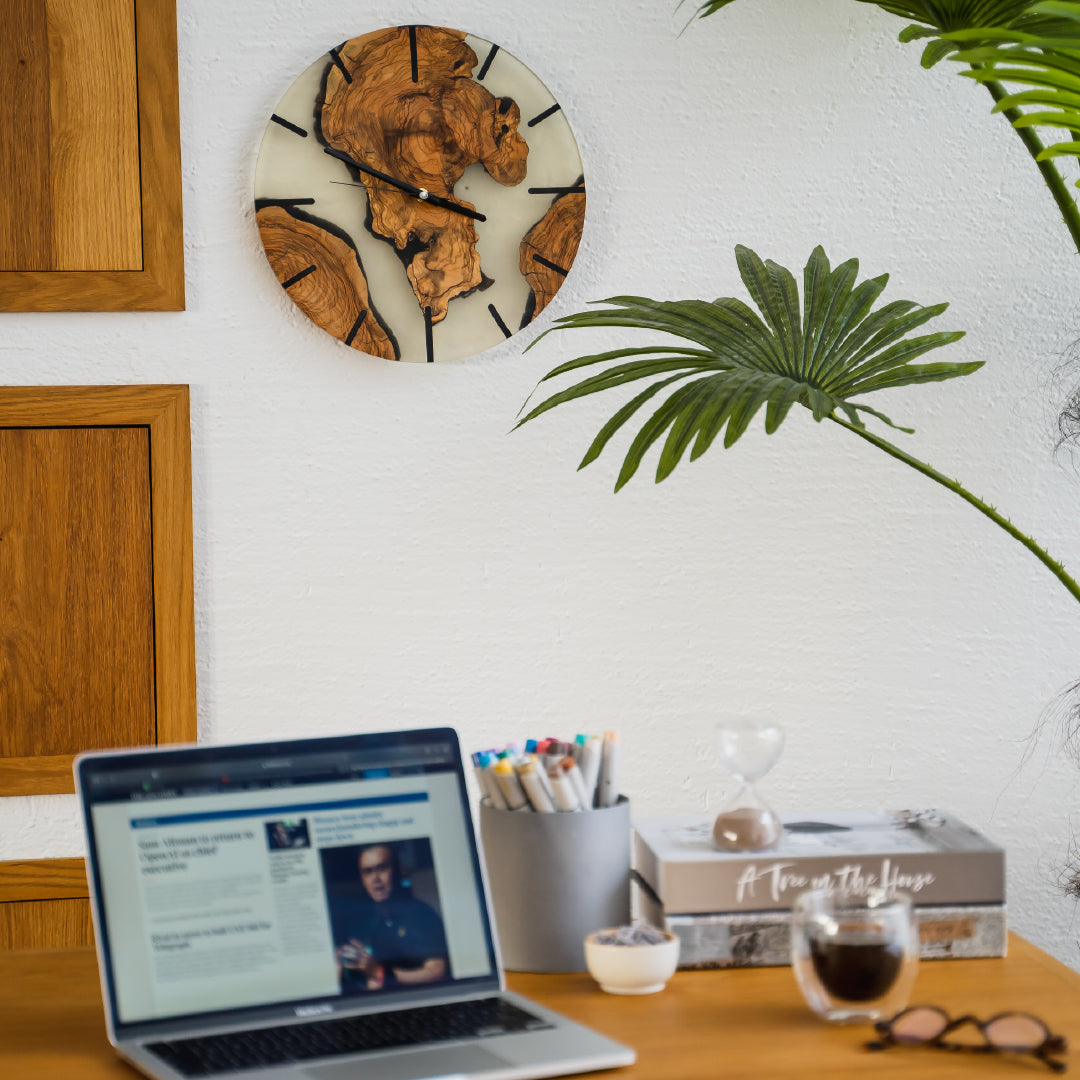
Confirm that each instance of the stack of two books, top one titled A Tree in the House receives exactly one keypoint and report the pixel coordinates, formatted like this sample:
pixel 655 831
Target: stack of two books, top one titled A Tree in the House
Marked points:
pixel 733 909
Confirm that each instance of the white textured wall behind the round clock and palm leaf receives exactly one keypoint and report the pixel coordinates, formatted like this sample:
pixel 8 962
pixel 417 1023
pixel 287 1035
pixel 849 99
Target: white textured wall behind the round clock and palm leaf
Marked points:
pixel 374 549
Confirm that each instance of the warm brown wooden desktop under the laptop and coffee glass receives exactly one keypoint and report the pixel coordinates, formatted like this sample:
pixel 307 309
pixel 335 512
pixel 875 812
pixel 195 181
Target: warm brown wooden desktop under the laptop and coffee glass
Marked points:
pixel 706 1025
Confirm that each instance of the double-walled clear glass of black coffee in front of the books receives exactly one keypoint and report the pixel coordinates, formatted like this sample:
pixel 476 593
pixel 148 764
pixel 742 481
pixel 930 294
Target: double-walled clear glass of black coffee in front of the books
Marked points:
pixel 855 956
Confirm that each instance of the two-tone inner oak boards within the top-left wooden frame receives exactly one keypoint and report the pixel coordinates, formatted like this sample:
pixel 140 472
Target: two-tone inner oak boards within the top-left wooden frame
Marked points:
pixel 70 138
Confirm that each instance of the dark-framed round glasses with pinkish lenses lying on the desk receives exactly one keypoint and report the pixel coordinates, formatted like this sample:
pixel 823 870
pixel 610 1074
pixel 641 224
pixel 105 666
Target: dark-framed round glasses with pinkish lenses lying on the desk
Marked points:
pixel 1006 1033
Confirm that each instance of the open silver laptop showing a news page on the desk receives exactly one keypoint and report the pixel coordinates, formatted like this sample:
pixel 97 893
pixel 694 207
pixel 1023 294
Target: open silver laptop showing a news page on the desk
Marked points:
pixel 313 910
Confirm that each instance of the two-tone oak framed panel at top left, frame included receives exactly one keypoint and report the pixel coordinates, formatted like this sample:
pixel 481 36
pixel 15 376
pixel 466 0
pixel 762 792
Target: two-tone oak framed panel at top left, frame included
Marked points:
pixel 90 157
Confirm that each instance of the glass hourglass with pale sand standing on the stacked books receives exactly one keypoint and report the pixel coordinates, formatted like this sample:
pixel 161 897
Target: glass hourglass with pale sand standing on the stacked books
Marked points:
pixel 748 750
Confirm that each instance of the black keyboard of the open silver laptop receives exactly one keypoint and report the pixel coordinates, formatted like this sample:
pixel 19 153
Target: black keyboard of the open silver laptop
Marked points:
pixel 329 1038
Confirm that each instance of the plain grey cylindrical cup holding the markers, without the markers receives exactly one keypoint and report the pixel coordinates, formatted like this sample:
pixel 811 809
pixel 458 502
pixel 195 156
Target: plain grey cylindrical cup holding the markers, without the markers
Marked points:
pixel 556 879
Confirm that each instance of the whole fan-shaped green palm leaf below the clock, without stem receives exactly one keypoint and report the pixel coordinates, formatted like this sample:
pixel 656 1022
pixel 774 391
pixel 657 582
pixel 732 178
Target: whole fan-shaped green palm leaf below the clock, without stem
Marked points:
pixel 818 352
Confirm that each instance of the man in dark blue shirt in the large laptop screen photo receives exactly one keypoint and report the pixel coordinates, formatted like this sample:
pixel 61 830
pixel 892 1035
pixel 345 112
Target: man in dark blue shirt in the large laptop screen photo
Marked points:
pixel 384 936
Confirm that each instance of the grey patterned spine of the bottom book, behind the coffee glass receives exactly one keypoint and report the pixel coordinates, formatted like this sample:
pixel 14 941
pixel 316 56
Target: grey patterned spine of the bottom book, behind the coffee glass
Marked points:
pixel 764 939
